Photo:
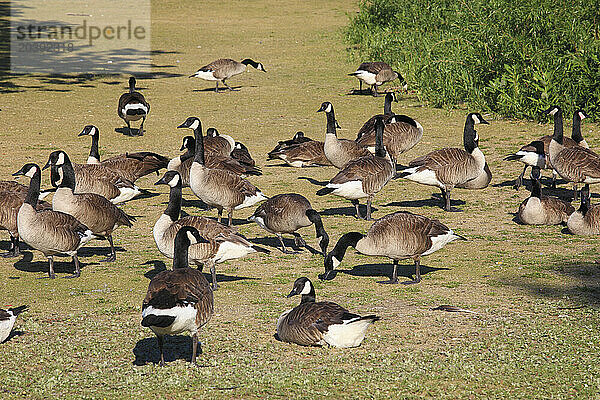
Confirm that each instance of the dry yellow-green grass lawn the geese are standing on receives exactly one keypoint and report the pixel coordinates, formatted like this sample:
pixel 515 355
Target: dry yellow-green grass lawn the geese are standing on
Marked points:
pixel 534 289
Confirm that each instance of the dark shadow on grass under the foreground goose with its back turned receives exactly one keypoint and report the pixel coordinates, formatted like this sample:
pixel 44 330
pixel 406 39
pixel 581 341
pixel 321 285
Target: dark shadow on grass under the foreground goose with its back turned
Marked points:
pixel 176 347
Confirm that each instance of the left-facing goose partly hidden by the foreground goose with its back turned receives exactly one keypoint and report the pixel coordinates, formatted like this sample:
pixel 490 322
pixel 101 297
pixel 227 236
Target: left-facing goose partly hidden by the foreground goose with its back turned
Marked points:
pixel 224 243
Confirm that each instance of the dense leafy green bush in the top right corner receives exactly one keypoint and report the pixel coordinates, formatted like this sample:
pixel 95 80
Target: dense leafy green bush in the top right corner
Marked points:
pixel 512 58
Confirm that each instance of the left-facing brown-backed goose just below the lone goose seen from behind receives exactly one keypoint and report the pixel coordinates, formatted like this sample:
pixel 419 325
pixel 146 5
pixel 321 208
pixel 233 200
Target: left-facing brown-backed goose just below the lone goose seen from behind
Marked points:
pixel 130 166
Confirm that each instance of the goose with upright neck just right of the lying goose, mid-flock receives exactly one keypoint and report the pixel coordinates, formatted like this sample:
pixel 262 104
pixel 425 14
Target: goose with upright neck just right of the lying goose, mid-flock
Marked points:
pixel 339 151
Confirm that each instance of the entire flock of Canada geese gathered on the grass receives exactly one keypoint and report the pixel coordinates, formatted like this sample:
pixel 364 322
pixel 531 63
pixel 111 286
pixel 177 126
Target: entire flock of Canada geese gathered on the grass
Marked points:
pixel 216 168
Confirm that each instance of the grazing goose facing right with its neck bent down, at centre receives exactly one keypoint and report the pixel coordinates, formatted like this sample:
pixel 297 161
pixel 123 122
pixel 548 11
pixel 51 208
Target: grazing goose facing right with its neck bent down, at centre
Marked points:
pixel 286 213
